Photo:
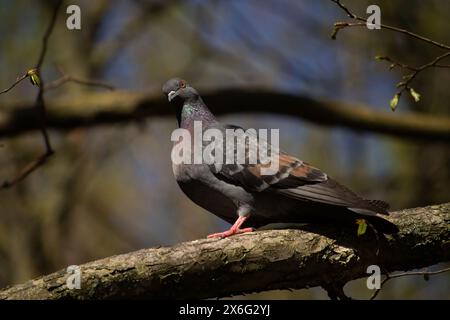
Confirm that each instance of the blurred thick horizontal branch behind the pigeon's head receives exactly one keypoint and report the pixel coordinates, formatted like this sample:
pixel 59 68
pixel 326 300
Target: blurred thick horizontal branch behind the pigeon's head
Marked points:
pixel 94 109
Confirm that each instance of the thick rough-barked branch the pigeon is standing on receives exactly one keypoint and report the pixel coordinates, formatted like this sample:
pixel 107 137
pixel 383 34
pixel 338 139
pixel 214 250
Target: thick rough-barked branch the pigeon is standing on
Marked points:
pixel 252 262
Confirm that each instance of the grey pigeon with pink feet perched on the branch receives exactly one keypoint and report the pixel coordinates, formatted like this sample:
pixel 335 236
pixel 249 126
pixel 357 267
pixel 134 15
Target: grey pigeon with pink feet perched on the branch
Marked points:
pixel 241 195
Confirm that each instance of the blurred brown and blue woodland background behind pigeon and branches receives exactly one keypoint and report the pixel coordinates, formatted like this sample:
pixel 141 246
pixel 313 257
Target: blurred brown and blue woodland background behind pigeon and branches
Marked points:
pixel 110 189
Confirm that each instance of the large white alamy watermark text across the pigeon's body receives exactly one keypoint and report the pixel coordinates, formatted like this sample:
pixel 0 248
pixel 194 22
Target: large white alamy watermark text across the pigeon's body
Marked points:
pixel 213 146
